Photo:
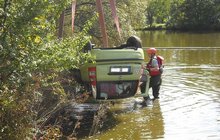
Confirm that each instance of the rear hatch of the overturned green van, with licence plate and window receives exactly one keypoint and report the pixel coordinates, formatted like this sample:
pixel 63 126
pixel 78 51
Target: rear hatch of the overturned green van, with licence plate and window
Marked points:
pixel 116 80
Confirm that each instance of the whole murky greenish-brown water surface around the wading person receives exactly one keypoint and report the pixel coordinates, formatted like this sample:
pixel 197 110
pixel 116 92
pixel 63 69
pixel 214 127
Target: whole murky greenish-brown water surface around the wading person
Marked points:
pixel 189 104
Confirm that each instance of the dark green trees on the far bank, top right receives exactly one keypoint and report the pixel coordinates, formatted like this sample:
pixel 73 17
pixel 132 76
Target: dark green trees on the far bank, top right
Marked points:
pixel 184 14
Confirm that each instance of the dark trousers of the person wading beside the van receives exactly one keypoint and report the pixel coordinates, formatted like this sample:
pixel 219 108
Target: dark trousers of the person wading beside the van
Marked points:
pixel 155 82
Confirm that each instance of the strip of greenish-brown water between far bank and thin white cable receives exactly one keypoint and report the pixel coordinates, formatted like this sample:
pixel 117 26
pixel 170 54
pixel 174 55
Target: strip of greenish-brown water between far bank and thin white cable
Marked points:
pixel 180 39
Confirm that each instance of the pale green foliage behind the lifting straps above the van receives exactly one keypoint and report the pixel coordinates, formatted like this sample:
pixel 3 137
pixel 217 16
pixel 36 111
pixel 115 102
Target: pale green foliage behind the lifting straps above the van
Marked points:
pixel 131 16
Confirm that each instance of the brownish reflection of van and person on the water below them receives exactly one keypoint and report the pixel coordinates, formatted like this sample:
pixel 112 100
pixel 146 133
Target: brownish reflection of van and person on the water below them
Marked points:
pixel 135 121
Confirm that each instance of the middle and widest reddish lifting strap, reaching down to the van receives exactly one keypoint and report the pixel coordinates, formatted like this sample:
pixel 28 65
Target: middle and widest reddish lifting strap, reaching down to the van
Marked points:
pixel 102 22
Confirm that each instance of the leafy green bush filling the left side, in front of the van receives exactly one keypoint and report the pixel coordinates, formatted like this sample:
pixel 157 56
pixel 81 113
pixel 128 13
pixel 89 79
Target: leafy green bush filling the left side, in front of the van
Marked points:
pixel 31 58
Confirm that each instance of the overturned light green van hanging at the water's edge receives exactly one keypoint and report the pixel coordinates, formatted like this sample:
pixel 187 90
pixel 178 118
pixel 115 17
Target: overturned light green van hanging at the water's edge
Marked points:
pixel 116 71
